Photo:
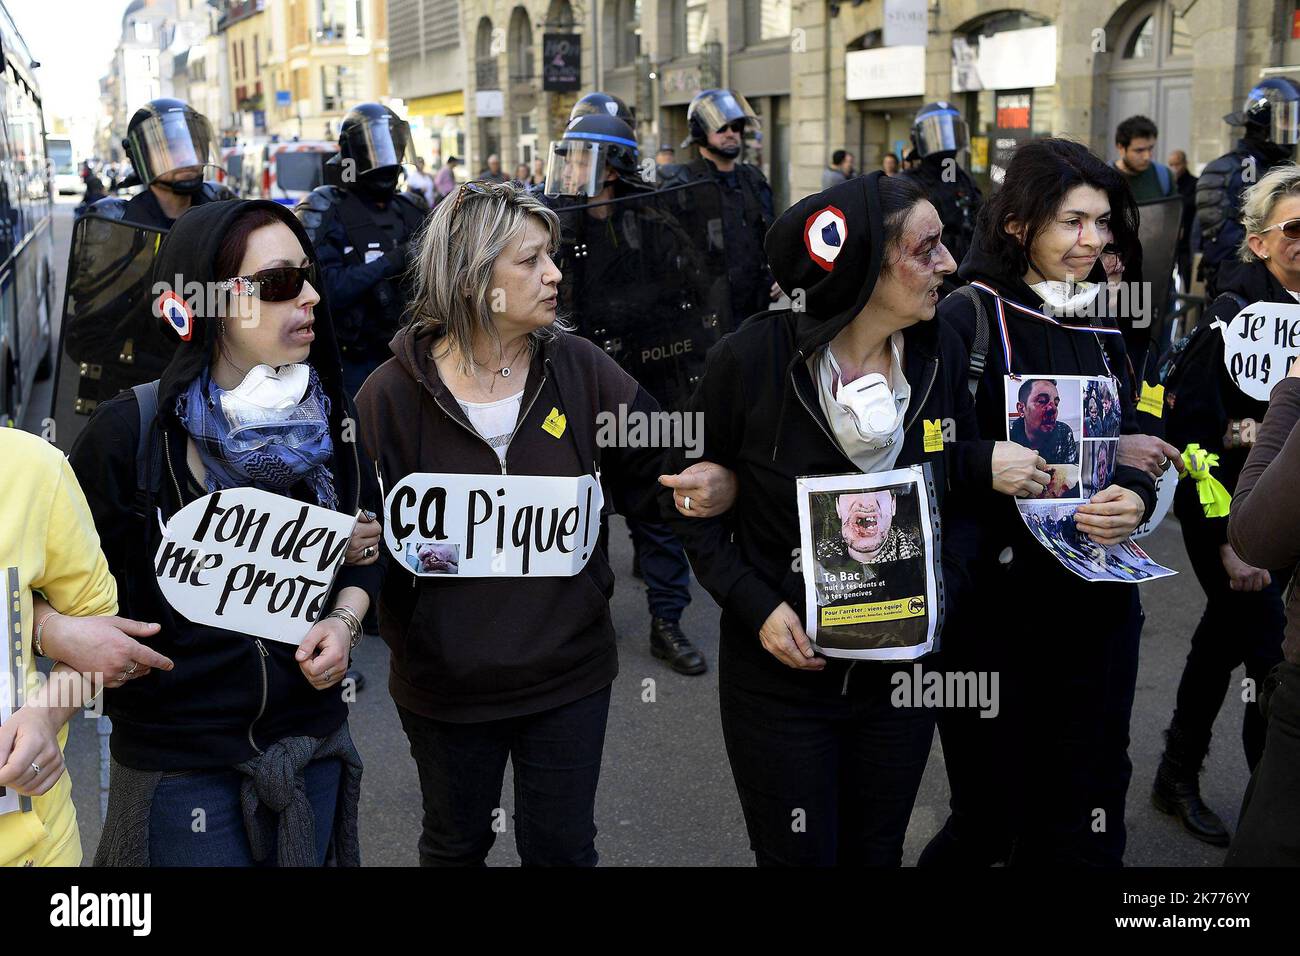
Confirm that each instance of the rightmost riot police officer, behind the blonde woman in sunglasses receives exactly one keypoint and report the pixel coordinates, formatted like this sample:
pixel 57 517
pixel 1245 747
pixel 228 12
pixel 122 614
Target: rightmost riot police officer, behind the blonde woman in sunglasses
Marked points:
pixel 1272 122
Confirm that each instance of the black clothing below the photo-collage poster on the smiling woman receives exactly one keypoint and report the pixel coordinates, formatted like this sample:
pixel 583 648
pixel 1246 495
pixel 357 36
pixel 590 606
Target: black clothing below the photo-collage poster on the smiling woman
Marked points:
pixel 1045 784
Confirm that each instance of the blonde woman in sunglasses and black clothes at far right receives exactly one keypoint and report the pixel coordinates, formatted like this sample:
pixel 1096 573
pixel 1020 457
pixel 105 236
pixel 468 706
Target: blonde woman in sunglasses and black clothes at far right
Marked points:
pixel 1243 622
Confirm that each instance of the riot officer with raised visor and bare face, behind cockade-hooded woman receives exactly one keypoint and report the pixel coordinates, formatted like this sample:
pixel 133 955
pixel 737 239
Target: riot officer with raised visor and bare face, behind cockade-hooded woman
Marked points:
pixel 718 122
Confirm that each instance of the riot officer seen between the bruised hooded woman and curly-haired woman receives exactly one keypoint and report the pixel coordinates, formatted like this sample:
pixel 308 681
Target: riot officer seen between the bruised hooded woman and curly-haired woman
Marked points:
pixel 939 135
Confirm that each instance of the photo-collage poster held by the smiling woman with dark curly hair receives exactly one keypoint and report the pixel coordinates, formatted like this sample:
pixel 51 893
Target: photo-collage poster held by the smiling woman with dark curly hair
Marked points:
pixel 1073 422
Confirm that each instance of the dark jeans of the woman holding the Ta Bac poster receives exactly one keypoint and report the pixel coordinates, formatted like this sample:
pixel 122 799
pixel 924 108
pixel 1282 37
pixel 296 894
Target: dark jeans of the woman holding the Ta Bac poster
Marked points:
pixel 827 782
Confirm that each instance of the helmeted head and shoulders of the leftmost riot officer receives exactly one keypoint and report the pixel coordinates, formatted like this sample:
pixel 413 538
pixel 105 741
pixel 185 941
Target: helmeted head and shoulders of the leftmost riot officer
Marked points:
pixel 170 145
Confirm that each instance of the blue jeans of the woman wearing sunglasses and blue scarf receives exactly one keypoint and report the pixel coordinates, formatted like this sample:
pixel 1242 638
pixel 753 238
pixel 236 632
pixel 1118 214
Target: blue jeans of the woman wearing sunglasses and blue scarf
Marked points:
pixel 223 840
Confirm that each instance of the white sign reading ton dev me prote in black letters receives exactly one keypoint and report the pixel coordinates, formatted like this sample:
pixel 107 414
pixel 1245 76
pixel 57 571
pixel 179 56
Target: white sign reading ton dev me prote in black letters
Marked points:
pixel 254 563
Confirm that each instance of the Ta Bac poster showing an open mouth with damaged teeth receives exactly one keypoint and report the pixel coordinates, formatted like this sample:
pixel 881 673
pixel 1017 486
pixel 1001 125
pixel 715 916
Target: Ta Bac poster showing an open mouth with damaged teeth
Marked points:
pixel 872 564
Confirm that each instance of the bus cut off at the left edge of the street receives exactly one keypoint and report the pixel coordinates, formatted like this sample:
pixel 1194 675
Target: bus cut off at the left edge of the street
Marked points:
pixel 28 295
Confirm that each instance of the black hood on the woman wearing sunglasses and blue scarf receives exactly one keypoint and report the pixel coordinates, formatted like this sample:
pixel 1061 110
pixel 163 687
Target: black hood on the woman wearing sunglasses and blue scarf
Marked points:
pixel 187 266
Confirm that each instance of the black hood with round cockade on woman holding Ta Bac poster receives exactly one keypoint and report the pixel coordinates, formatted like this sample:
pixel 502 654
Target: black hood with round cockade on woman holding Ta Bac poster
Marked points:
pixel 830 246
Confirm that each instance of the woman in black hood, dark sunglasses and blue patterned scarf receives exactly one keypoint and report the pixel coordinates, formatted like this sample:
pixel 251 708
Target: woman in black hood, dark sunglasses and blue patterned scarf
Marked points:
pixel 252 732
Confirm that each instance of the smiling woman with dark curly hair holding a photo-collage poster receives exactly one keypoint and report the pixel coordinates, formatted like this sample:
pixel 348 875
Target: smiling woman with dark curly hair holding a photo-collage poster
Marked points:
pixel 1048 776
